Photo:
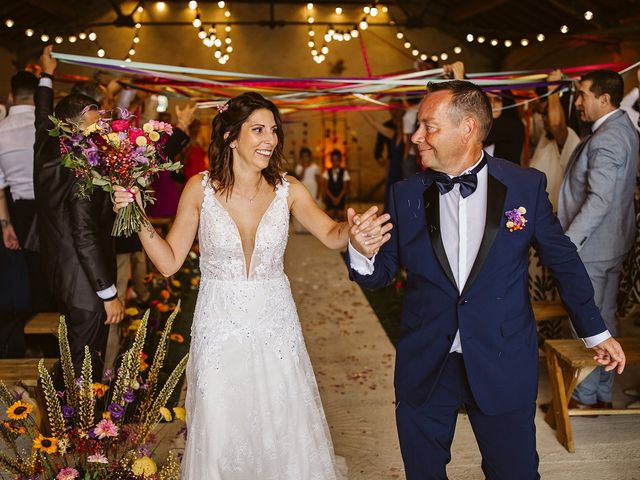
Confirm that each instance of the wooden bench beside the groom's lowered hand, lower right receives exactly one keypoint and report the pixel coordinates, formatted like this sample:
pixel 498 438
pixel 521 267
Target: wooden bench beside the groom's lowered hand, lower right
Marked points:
pixel 569 362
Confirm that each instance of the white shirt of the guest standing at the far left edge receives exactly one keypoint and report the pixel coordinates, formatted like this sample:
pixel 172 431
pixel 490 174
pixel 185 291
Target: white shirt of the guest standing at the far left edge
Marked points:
pixel 17 136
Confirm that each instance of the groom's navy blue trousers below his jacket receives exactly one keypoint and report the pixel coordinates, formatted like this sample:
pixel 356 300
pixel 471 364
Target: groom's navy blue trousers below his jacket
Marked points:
pixel 507 442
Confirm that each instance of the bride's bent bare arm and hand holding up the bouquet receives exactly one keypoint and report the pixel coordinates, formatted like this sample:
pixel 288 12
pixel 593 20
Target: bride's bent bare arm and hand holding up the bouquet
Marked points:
pixel 169 255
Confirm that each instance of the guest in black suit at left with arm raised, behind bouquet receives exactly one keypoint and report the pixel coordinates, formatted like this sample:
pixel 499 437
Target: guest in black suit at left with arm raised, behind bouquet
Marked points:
pixel 75 234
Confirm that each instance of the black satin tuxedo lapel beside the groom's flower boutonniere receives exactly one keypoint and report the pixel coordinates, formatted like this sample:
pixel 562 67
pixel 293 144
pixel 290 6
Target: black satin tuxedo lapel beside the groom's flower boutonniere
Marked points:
pixel 496 194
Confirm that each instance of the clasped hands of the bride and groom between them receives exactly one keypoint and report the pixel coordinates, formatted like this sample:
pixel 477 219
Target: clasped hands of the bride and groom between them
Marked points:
pixel 367 231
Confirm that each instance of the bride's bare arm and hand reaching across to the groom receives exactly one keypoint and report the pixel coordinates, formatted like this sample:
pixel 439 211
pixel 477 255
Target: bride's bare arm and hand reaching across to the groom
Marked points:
pixel 332 234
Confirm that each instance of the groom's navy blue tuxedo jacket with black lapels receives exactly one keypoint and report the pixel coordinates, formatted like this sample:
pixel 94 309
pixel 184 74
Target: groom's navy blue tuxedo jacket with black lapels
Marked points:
pixel 493 312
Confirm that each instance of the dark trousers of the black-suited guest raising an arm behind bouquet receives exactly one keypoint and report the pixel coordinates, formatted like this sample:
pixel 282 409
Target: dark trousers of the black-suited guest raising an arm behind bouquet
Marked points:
pixel 85 327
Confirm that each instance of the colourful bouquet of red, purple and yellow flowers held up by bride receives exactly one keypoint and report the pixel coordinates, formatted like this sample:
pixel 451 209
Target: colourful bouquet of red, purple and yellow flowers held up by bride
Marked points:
pixel 113 152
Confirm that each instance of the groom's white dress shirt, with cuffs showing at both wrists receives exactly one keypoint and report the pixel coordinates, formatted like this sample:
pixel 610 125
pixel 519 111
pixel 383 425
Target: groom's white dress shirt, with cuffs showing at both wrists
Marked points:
pixel 462 222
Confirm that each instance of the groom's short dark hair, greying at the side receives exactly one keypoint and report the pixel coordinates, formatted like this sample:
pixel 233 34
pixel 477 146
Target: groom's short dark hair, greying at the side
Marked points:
pixel 466 99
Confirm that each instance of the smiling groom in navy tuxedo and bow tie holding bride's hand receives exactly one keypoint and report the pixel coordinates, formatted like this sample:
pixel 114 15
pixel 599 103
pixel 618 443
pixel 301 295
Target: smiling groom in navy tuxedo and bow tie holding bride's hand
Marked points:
pixel 462 230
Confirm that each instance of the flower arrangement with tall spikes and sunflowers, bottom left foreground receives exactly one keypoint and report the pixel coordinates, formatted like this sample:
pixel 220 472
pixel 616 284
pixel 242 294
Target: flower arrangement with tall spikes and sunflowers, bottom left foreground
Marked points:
pixel 95 430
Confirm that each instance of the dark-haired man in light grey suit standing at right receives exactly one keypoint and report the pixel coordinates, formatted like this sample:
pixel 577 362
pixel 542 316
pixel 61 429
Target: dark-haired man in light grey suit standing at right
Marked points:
pixel 596 206
